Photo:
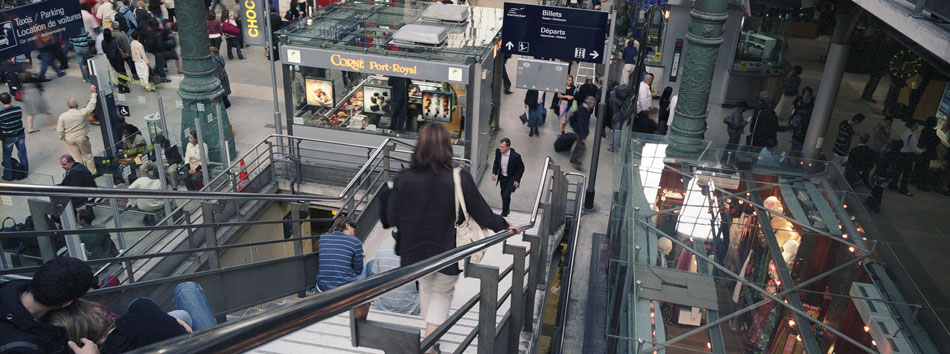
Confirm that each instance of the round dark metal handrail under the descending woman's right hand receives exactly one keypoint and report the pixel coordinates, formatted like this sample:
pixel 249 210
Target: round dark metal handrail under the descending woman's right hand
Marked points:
pixel 239 336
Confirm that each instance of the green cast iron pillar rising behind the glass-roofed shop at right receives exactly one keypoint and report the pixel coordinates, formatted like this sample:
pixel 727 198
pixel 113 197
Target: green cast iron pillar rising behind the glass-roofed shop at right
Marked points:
pixel 706 23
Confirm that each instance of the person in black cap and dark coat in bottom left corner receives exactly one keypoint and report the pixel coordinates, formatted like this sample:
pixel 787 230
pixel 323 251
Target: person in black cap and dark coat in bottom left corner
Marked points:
pixel 55 285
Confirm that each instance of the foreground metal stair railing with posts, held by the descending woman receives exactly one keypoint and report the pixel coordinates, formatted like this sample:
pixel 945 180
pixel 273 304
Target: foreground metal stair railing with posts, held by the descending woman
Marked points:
pixel 239 336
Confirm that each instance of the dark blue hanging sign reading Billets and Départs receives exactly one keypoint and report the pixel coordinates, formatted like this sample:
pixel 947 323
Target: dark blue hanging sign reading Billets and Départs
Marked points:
pixel 554 32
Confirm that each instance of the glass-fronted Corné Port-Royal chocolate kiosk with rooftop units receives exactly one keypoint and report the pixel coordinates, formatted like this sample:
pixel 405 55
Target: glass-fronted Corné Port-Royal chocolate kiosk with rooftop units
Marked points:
pixel 359 72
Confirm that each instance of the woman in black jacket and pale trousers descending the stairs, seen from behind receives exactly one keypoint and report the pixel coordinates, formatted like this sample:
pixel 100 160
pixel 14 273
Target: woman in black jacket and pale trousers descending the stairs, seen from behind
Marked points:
pixel 421 205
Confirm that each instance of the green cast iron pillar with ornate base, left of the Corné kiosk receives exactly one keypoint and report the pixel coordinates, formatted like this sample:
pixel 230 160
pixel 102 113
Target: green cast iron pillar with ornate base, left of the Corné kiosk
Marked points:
pixel 200 91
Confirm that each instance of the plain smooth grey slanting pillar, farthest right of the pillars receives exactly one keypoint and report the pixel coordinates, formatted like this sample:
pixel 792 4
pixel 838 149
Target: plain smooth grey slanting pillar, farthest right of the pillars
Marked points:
pixel 847 17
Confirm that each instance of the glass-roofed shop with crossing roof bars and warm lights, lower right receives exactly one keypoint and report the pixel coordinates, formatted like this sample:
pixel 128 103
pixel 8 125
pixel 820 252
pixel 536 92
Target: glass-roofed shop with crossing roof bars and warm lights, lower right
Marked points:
pixel 722 236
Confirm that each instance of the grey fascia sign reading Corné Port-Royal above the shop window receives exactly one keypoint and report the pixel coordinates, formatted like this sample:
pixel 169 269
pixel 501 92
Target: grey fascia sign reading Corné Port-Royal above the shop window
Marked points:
pixel 375 64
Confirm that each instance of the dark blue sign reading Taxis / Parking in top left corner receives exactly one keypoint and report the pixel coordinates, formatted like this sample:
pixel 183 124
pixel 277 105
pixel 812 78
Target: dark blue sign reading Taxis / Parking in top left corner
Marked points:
pixel 29 27
